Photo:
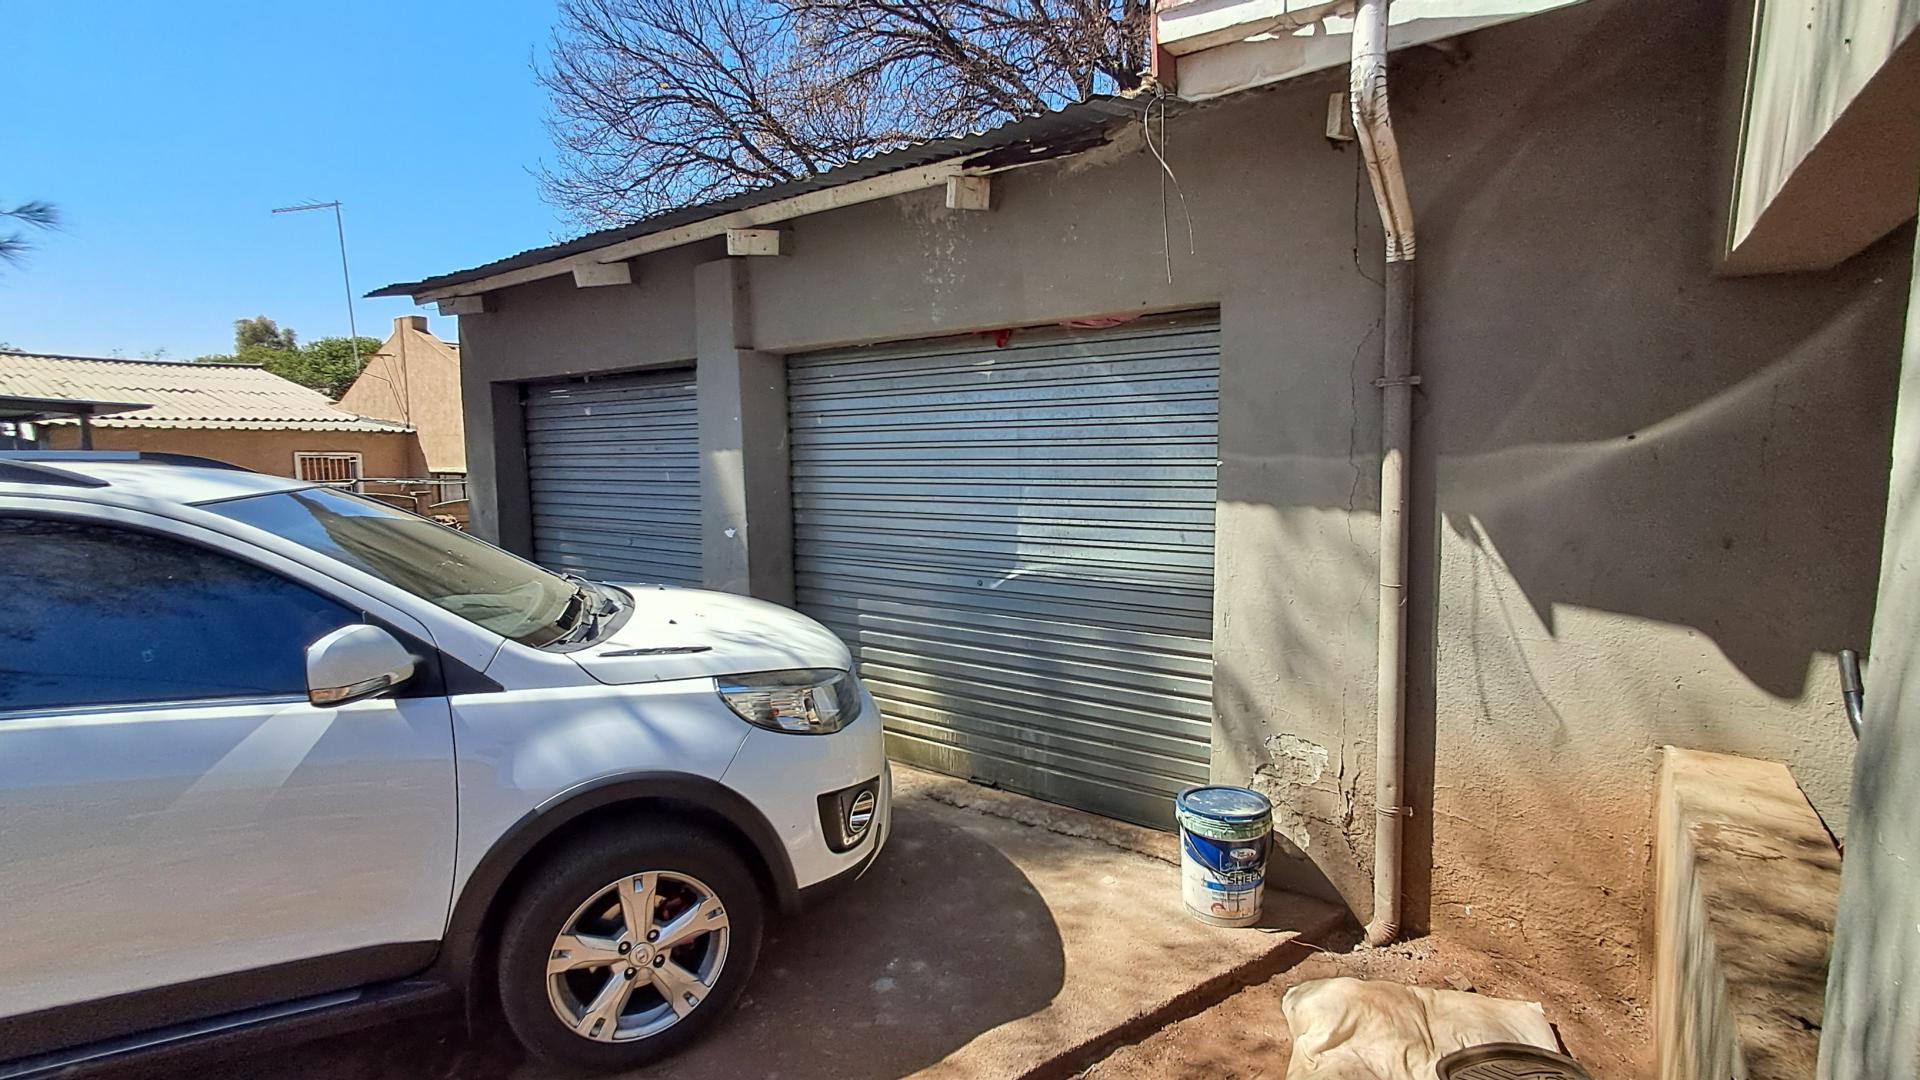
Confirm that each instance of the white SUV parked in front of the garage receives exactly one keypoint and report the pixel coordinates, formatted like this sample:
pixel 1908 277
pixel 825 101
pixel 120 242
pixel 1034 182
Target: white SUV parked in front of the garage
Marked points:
pixel 272 750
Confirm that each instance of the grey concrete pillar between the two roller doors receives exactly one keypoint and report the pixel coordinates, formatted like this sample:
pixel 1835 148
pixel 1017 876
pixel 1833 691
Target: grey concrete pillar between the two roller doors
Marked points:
pixel 746 499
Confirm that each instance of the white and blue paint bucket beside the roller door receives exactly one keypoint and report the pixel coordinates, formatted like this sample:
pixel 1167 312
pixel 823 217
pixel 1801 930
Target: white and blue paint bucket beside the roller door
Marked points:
pixel 1224 852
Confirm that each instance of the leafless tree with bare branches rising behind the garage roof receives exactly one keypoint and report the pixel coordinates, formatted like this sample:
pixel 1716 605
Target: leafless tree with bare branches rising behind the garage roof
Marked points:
pixel 665 103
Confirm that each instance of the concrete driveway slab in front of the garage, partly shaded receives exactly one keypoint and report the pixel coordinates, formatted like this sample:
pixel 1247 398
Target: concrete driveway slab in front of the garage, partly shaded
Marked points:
pixel 996 937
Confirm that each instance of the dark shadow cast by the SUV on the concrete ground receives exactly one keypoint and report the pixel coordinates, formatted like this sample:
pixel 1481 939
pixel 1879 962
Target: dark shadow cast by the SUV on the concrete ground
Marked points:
pixel 942 943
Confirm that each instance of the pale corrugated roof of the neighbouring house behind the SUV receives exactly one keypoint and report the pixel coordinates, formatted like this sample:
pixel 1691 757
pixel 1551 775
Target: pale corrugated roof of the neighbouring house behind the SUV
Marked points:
pixel 237 397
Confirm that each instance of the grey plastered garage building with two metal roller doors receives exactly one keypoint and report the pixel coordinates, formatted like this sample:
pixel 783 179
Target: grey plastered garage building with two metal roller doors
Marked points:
pixel 1072 431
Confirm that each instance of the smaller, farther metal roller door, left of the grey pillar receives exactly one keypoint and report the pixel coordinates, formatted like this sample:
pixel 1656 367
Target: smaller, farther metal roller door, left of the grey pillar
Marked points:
pixel 615 478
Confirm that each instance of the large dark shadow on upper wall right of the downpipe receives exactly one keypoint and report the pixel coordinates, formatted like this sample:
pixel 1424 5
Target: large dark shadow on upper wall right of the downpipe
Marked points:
pixel 1629 431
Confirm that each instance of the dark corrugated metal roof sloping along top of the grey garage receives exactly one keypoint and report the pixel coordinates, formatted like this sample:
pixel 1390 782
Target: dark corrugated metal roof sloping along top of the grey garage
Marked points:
pixel 1024 139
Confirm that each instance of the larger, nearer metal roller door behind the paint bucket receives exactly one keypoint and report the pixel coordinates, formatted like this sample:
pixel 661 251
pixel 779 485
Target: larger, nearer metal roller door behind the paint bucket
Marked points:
pixel 1019 547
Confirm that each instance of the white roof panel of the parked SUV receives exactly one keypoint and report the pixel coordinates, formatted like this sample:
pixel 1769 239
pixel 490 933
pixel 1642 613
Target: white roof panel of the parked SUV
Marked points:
pixel 160 479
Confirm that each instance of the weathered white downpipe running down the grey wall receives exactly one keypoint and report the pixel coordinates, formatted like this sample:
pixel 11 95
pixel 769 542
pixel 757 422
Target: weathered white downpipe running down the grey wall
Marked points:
pixel 1376 130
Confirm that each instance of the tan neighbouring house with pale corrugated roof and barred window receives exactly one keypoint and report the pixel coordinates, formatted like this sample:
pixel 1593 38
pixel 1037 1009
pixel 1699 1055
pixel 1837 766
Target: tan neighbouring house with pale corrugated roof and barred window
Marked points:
pixel 233 412
